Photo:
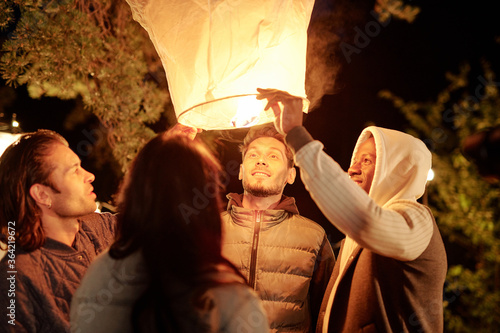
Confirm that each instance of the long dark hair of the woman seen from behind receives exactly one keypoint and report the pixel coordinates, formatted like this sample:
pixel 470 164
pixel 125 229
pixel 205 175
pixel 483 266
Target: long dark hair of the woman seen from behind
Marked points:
pixel 170 208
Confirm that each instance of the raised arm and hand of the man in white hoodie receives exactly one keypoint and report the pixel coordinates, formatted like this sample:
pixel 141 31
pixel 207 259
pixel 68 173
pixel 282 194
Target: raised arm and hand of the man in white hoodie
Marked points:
pixel 401 230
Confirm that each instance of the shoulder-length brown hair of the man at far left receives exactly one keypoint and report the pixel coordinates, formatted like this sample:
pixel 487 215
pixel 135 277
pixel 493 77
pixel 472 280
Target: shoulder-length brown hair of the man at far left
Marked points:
pixel 23 164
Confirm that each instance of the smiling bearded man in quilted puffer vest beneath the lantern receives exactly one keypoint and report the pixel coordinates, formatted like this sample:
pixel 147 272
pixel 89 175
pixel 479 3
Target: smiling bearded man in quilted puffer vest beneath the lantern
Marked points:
pixel 286 258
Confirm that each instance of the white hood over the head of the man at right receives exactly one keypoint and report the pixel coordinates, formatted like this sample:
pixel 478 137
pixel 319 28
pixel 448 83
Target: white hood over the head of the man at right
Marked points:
pixel 401 167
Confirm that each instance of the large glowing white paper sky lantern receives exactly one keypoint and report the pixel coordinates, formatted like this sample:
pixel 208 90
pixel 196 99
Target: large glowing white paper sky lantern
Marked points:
pixel 217 53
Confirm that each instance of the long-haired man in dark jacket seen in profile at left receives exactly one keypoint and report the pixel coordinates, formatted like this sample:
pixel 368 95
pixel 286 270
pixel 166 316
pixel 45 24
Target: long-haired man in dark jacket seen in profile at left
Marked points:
pixel 50 230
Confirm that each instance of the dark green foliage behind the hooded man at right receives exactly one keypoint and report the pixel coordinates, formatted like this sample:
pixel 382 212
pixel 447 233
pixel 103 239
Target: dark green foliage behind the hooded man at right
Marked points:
pixel 467 207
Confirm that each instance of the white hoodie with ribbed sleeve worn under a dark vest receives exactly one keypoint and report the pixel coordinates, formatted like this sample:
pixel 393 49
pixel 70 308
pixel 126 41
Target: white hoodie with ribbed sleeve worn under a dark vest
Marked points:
pixel 389 220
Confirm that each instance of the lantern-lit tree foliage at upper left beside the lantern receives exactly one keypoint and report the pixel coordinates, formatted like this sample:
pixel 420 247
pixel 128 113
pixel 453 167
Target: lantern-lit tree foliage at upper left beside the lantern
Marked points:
pixel 92 49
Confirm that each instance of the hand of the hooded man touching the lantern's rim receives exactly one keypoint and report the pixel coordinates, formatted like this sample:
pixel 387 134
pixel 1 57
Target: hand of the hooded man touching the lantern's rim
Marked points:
pixel 291 115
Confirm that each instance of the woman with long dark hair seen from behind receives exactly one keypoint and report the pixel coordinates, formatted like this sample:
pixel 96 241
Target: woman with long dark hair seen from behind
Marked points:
pixel 165 271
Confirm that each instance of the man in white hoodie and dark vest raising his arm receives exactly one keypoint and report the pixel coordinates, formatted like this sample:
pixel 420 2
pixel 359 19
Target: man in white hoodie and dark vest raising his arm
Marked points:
pixel 392 264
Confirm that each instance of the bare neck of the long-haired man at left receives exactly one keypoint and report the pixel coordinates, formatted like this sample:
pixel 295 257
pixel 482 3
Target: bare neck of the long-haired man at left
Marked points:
pixel 60 229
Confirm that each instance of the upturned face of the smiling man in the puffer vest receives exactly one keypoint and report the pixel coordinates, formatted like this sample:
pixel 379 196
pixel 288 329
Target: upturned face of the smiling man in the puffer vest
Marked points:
pixel 264 170
